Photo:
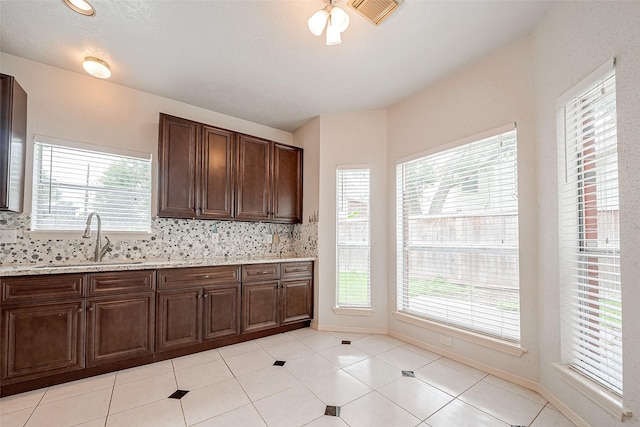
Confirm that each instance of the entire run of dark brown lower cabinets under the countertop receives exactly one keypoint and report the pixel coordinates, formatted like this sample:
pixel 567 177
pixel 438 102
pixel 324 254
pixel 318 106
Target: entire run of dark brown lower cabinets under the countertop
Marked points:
pixel 60 327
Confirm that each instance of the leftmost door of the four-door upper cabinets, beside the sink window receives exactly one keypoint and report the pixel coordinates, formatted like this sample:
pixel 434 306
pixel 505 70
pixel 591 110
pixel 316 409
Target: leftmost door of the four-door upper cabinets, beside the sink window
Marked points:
pixel 177 160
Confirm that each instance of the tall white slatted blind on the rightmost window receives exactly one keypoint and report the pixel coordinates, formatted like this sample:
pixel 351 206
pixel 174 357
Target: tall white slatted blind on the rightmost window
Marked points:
pixel 590 234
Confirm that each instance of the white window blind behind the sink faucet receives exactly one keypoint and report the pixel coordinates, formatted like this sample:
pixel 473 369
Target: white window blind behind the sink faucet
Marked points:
pixel 69 183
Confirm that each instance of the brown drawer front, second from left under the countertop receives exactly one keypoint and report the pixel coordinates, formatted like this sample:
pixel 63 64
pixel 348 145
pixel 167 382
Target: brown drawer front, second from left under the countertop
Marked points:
pixel 119 282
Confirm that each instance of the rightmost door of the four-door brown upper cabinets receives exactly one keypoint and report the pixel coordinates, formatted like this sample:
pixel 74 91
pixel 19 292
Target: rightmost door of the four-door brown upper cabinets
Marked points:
pixel 287 184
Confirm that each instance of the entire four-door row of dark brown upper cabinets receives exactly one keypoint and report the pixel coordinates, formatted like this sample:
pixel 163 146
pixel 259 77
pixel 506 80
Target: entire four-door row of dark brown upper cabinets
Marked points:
pixel 211 173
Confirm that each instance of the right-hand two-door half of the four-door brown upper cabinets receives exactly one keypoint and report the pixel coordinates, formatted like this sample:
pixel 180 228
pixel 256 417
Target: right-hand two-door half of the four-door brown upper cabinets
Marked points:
pixel 269 183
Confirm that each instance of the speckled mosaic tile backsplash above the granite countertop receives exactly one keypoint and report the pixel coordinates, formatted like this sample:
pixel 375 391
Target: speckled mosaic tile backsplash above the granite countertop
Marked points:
pixel 169 239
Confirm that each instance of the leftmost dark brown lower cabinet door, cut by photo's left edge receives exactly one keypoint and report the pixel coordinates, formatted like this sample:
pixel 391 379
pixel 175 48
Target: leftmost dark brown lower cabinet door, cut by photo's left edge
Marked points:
pixel 43 339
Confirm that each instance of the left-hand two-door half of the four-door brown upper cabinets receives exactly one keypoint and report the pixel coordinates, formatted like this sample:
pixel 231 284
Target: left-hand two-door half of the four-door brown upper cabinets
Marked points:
pixel 196 170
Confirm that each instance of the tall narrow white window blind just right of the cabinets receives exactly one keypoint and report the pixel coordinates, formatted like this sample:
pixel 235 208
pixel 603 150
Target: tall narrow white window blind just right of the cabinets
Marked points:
pixel 352 238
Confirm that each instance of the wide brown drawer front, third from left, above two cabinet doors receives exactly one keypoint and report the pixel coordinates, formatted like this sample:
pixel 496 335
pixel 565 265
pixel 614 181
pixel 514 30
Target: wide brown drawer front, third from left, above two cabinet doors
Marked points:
pixel 190 277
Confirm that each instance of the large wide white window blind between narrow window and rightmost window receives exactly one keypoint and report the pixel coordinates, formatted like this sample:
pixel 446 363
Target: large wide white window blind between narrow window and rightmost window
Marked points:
pixel 457 236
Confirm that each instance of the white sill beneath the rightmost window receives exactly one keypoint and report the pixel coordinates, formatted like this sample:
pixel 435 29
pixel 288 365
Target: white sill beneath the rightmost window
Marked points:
pixel 592 391
